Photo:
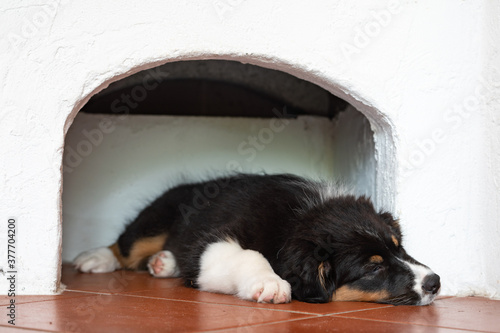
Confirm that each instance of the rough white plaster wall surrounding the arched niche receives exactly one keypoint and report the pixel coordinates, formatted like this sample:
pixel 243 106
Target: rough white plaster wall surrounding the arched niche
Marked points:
pixel 425 74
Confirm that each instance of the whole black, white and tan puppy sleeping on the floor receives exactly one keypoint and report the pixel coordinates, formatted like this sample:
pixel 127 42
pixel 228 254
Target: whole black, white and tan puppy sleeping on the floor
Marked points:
pixel 268 238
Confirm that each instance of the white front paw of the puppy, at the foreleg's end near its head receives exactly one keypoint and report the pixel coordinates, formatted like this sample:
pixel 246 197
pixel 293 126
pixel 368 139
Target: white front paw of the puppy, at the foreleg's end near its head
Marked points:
pixel 267 289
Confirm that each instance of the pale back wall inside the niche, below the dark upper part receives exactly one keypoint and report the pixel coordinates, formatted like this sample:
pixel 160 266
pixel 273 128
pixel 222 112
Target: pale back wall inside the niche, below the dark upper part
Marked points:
pixel 114 165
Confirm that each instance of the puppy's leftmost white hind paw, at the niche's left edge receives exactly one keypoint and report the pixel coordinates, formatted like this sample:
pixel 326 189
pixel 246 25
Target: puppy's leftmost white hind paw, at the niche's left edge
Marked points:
pixel 100 260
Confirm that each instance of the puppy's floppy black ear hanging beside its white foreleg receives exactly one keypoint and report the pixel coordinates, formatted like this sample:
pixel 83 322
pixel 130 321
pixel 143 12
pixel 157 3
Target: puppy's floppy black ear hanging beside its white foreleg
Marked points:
pixel 309 271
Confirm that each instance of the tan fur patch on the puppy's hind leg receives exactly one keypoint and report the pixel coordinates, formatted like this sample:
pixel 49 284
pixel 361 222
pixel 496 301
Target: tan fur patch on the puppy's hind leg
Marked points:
pixel 141 249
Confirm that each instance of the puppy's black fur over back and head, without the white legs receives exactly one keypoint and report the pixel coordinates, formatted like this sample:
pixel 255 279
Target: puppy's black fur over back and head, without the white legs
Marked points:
pixel 327 246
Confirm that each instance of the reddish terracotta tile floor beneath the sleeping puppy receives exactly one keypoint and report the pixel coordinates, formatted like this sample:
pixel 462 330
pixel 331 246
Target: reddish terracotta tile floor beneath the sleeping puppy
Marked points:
pixel 135 302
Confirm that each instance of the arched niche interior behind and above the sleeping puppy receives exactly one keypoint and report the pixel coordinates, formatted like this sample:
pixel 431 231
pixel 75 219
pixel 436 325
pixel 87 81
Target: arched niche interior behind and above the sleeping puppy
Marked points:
pixel 190 120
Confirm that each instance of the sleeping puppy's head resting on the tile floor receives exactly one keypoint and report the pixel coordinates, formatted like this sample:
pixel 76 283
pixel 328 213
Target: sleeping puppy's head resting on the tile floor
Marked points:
pixel 345 251
